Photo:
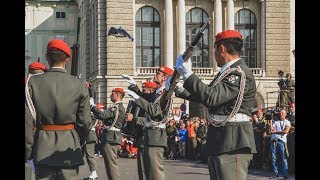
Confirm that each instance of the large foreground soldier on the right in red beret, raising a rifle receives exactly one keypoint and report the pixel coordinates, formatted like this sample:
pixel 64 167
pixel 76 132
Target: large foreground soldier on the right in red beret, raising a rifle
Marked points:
pixel 229 100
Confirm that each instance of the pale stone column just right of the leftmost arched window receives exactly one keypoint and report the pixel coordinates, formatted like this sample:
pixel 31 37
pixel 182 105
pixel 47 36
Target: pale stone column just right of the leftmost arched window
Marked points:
pixel 168 34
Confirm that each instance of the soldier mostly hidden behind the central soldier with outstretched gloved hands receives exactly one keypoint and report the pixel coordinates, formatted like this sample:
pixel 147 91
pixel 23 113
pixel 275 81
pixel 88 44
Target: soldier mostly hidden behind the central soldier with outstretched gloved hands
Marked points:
pixel 147 87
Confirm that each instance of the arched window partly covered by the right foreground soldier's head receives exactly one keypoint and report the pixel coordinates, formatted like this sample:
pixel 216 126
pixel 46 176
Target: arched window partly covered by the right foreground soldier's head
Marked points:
pixel 246 24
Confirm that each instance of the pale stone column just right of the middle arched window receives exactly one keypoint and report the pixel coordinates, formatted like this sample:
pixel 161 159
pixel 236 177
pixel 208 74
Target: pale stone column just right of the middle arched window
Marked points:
pixel 217 22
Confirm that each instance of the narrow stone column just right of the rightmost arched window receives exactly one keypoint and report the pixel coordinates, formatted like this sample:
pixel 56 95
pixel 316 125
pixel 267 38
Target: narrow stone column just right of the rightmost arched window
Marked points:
pixel 263 34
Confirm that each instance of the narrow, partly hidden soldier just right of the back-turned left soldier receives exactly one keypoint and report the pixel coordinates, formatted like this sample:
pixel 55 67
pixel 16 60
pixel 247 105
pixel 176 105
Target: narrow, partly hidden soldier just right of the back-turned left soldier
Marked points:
pixel 89 147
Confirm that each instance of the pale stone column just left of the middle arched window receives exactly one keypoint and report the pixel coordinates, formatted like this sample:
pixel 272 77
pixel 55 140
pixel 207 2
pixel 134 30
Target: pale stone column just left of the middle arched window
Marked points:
pixel 181 27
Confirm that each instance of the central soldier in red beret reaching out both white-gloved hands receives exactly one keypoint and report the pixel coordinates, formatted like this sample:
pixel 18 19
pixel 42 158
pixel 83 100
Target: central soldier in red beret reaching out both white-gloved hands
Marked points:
pixel 155 136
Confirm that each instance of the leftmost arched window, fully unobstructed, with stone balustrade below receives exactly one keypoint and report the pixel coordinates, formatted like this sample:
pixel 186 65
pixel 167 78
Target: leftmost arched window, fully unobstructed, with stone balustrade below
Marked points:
pixel 147 37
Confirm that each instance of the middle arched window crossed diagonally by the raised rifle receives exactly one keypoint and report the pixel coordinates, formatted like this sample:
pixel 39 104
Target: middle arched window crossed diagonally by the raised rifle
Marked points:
pixel 195 18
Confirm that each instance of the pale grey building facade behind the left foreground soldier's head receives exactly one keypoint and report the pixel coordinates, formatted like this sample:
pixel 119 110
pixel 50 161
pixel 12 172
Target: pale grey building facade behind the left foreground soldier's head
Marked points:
pixel 45 20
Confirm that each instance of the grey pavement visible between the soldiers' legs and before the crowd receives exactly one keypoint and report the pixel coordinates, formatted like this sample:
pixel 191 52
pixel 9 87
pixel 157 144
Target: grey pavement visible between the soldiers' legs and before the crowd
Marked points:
pixel 174 169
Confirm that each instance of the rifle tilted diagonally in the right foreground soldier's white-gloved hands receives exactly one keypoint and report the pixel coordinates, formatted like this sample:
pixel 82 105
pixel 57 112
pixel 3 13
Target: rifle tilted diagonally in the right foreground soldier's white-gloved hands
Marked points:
pixel 166 98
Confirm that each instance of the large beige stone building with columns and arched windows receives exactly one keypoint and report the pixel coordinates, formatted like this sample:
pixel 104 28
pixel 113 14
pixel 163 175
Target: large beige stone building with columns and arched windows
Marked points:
pixel 162 29
